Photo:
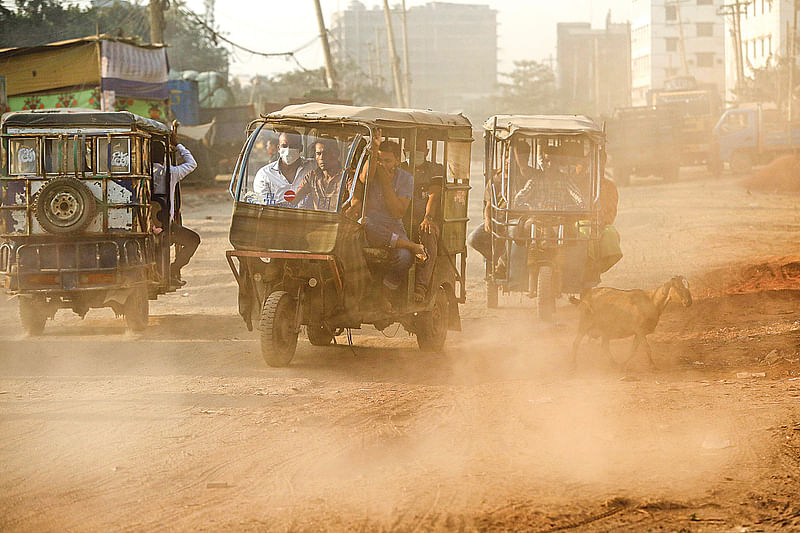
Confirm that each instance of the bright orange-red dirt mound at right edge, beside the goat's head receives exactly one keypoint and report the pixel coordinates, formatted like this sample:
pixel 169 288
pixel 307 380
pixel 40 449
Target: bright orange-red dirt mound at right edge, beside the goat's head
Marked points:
pixel 770 274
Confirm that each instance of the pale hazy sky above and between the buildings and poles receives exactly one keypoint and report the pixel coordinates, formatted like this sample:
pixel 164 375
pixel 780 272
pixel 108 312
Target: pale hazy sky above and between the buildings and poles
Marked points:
pixel 526 28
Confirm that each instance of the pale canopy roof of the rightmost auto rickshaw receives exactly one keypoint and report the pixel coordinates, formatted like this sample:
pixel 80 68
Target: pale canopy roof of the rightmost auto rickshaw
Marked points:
pixel 505 126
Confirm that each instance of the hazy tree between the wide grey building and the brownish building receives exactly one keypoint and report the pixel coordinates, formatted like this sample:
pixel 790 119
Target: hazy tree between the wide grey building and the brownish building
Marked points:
pixel 531 89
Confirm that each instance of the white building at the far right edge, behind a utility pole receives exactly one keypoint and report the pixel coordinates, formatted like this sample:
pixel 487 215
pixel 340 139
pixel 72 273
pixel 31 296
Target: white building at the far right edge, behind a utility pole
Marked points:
pixel 765 29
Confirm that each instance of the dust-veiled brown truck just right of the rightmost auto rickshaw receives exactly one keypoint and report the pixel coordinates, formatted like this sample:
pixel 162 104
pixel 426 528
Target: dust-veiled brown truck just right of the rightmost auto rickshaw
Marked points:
pixel 644 141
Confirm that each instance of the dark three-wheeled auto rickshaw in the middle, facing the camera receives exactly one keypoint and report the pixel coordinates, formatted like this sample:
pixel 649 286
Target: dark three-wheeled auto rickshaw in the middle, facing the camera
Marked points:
pixel 307 263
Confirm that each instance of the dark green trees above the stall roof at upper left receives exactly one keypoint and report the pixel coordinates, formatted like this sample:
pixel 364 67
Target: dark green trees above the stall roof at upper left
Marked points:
pixel 36 22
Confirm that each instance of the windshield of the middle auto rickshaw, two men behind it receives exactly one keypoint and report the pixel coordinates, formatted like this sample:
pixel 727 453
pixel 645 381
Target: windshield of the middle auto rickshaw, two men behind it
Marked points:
pixel 308 168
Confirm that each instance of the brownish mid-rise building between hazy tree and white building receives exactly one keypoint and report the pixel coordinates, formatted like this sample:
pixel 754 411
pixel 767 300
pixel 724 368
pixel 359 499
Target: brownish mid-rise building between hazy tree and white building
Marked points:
pixel 594 67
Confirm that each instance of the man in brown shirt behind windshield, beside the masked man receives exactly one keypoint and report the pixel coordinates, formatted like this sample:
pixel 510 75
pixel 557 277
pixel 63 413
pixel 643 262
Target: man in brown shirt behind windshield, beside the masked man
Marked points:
pixel 319 189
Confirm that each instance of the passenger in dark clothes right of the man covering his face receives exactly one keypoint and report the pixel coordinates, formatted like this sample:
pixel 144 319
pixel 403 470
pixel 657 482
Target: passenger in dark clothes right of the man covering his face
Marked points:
pixel 428 178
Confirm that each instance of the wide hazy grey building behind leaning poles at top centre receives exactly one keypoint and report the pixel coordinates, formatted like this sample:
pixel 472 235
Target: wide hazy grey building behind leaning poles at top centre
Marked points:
pixel 452 51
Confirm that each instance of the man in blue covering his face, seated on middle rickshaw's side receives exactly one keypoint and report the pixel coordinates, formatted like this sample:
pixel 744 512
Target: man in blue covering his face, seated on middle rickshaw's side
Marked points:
pixel 388 195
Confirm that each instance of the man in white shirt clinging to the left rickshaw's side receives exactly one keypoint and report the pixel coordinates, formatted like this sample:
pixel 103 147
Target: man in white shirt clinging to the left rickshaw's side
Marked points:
pixel 185 240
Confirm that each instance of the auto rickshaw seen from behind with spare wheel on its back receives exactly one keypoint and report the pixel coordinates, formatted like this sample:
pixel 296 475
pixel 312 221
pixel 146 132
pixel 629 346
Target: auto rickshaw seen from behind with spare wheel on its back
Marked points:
pixel 78 214
